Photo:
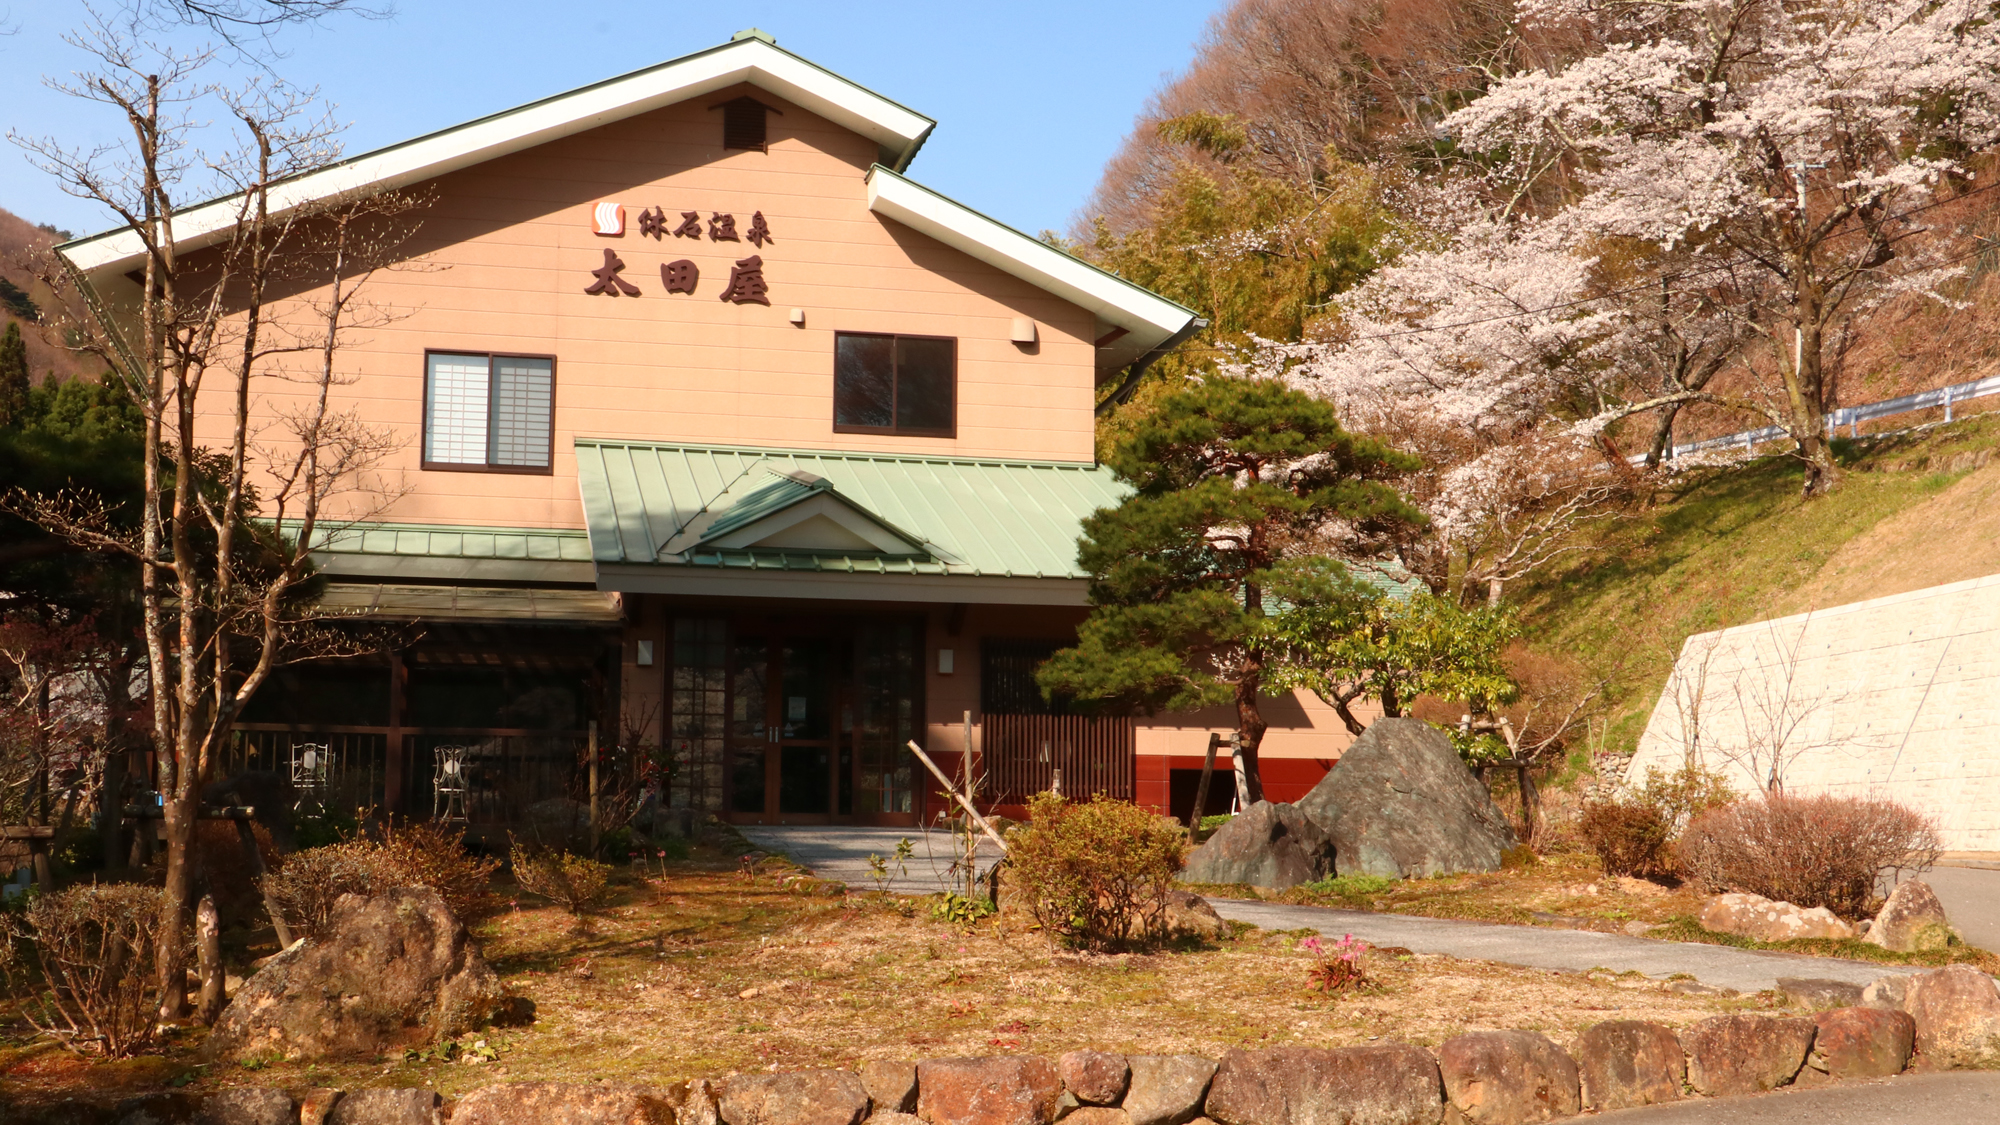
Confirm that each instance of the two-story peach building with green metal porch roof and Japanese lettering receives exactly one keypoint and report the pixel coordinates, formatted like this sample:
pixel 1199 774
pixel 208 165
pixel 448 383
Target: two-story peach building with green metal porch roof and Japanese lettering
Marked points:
pixel 721 433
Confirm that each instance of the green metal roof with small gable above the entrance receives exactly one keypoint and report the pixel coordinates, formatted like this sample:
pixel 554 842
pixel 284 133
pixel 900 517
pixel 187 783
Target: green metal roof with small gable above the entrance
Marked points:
pixel 657 505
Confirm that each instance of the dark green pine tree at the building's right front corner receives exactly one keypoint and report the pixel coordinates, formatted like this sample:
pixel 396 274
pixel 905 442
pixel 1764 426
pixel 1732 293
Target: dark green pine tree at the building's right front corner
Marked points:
pixel 1229 479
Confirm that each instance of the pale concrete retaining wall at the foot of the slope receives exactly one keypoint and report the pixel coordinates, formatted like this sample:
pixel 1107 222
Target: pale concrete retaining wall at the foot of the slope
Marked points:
pixel 1893 698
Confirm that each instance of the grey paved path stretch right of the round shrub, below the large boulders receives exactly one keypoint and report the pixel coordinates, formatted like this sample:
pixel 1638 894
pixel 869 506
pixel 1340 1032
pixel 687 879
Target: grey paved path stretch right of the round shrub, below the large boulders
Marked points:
pixel 1537 948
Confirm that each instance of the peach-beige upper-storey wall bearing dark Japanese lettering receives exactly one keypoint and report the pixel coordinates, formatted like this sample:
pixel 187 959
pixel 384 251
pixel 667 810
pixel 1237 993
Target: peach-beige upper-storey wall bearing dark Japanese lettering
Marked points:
pixel 509 253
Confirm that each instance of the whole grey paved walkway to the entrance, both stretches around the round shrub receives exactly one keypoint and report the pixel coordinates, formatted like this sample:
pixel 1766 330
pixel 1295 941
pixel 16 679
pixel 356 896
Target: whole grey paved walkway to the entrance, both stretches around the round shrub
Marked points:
pixel 843 854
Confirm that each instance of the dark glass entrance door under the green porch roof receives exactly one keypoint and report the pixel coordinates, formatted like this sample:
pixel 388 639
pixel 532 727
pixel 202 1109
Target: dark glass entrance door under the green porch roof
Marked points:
pixel 791 754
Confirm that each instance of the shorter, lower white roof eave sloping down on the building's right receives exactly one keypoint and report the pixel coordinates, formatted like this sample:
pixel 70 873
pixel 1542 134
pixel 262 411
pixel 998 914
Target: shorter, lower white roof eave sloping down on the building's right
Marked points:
pixel 1147 317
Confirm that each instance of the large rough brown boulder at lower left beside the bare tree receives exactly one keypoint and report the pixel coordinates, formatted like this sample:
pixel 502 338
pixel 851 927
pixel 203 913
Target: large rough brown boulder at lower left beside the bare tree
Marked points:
pixel 393 970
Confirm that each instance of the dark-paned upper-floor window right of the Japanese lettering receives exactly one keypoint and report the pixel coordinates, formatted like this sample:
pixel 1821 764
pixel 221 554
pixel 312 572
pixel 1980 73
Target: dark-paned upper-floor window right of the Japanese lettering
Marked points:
pixel 895 385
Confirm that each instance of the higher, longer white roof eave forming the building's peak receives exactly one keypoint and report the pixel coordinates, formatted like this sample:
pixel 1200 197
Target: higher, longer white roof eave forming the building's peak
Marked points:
pixel 513 131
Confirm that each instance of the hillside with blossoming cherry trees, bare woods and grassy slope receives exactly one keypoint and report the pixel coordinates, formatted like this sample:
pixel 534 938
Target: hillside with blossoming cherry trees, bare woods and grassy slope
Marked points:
pixel 1535 263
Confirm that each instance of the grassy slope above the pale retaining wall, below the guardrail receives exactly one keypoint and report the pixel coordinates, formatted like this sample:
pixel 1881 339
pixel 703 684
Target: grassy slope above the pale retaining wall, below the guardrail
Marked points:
pixel 1741 545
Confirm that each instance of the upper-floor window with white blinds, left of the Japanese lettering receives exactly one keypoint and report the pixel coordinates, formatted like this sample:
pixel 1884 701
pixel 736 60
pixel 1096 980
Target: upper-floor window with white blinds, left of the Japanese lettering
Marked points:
pixel 489 411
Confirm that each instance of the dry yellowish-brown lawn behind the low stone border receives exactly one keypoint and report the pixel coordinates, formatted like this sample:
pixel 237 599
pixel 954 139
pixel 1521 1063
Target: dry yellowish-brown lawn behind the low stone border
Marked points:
pixel 703 974
